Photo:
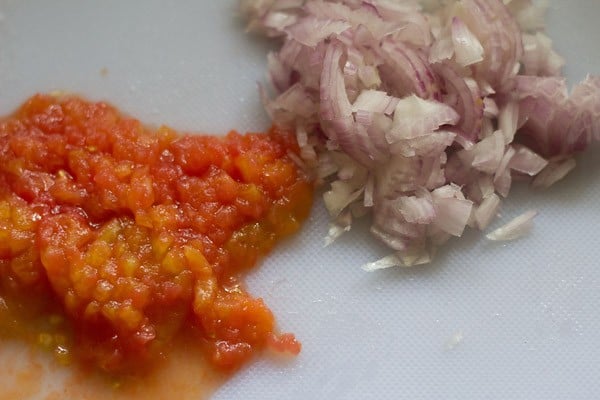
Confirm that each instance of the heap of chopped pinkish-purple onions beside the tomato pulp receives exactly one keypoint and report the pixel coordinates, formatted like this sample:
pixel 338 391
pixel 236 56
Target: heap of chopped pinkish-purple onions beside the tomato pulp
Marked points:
pixel 422 114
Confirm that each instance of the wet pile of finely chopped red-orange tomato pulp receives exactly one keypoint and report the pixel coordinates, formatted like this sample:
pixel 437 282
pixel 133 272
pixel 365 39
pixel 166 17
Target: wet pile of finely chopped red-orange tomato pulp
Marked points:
pixel 116 239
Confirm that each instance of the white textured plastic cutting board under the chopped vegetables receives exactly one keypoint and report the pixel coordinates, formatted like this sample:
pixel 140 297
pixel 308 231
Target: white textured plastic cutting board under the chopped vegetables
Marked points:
pixel 485 320
